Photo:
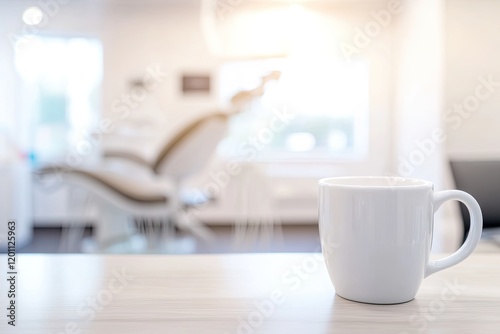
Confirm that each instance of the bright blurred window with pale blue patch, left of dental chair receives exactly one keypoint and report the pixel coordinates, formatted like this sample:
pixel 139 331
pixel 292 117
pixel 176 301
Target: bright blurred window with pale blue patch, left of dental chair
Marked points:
pixel 61 88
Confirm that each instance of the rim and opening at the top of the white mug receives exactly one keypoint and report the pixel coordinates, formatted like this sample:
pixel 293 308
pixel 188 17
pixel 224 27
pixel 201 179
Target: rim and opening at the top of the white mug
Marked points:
pixel 370 182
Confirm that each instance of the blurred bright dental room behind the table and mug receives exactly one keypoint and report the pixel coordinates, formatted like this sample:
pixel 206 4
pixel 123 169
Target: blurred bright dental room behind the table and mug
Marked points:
pixel 306 89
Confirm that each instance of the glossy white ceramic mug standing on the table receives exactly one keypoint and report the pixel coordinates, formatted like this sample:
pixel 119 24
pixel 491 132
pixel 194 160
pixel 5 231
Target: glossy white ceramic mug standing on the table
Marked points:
pixel 376 235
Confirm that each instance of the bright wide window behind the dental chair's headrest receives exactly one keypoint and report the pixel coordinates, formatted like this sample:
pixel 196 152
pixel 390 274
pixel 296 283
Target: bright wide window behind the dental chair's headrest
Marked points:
pixel 316 110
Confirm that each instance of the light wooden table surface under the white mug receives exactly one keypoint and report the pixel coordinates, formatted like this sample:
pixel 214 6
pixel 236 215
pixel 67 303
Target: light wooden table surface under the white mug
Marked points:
pixel 239 293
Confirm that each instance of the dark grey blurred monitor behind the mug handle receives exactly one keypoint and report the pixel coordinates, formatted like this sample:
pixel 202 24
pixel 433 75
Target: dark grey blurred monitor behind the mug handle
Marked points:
pixel 481 179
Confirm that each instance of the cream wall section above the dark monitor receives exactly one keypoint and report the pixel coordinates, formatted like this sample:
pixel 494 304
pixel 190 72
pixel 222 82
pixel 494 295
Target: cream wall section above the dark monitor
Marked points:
pixel 472 52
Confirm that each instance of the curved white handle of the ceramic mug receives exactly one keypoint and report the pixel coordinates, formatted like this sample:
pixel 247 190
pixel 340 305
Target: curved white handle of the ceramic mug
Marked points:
pixel 476 227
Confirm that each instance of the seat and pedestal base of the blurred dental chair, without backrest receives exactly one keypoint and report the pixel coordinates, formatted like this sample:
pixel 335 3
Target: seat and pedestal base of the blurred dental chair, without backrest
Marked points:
pixel 118 199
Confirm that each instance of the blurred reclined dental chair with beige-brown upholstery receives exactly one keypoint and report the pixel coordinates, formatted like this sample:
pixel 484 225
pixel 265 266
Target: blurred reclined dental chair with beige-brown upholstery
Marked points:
pixel 123 199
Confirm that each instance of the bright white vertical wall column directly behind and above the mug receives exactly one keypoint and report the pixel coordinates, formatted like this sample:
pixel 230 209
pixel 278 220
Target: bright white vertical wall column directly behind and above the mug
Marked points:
pixel 418 91
